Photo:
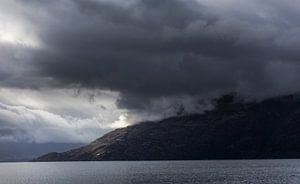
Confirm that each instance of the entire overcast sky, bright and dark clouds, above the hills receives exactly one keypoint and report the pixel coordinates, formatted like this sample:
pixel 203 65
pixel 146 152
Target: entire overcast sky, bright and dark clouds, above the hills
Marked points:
pixel 71 70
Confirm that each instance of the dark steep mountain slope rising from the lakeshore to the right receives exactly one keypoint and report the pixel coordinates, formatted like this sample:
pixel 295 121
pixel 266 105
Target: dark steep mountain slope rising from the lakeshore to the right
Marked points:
pixel 268 129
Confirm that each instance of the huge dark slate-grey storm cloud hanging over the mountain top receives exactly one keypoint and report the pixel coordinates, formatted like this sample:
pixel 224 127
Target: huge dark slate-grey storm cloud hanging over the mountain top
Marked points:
pixel 148 49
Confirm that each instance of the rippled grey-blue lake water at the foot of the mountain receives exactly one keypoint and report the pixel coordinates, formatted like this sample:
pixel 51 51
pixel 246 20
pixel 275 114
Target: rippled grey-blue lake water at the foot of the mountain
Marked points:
pixel 165 172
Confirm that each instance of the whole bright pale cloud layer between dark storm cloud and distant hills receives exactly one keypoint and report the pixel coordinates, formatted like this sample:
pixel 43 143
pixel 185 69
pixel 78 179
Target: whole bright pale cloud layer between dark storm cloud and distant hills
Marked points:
pixel 56 116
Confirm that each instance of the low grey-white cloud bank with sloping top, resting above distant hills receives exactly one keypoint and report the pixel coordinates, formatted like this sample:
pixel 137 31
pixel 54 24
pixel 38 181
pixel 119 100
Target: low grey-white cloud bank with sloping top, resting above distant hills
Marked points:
pixel 23 124
